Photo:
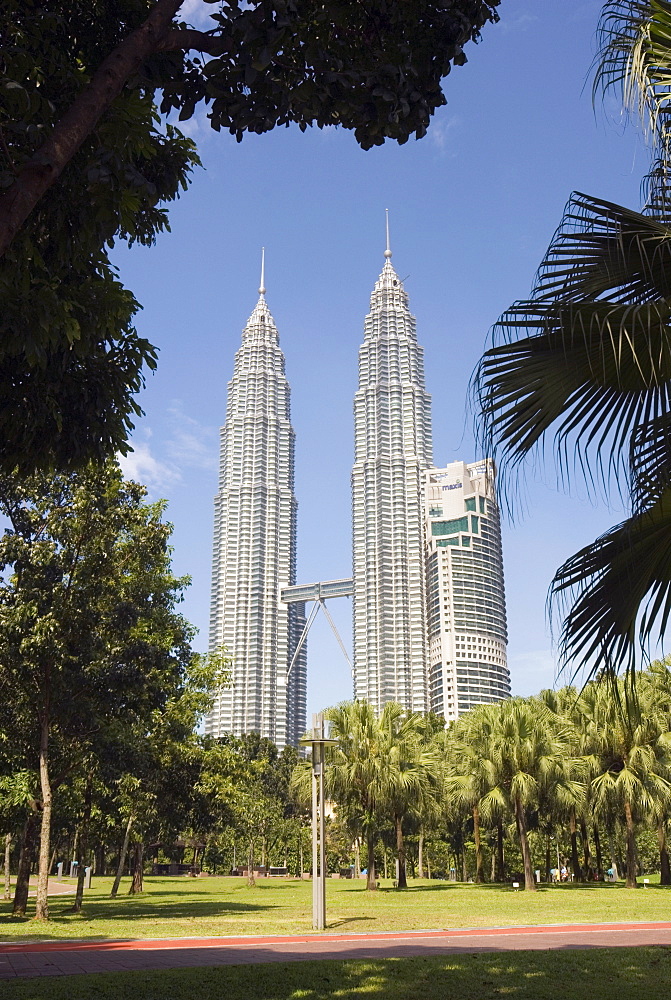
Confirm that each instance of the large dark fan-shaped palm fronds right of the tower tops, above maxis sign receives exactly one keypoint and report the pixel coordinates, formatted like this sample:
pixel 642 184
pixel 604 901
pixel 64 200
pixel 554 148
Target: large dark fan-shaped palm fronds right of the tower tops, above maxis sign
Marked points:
pixel 589 356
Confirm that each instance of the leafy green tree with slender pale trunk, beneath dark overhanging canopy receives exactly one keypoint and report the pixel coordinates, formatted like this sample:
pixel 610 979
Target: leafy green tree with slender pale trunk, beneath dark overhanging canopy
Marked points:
pixel 88 627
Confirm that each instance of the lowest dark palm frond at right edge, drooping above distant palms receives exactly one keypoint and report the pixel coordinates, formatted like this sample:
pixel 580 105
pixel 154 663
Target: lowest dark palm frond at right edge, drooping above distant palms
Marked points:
pixel 620 589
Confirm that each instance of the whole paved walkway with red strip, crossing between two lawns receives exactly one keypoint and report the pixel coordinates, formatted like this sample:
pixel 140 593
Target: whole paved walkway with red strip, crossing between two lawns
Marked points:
pixel 61 958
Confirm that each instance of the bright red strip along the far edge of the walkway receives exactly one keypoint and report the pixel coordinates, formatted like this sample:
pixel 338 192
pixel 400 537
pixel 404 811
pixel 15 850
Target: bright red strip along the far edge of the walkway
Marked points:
pixel 155 944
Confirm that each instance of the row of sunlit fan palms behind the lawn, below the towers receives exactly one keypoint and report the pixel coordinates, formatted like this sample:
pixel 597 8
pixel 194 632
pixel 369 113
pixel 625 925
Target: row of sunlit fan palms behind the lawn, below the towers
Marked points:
pixel 569 779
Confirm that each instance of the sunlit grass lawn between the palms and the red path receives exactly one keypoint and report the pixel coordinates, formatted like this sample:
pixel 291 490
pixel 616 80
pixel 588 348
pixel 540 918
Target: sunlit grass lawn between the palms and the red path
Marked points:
pixel 178 907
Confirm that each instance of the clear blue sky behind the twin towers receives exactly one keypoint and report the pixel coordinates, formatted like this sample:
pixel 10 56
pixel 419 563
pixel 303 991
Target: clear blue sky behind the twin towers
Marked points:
pixel 472 208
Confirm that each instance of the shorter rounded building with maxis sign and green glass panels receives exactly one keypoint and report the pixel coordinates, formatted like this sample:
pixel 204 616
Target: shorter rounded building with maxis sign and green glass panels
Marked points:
pixel 466 597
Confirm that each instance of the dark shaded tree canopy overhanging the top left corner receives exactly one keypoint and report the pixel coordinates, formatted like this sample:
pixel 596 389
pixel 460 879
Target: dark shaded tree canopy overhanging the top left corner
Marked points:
pixel 86 158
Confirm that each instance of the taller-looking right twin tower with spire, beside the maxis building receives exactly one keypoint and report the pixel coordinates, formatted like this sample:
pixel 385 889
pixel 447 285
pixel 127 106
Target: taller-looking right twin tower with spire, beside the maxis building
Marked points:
pixel 392 431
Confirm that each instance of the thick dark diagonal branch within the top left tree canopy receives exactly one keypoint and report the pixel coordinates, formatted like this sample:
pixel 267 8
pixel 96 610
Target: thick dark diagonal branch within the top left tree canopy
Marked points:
pixel 47 164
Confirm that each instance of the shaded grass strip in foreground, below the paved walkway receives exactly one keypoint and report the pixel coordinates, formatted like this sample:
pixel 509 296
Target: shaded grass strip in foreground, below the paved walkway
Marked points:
pixel 601 974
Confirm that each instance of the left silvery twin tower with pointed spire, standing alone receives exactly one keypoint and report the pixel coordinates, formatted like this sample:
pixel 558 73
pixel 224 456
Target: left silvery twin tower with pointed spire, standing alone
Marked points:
pixel 255 547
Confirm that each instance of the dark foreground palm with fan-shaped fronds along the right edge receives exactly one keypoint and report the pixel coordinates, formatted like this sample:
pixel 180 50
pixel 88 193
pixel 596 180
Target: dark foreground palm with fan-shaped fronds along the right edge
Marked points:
pixel 587 358
